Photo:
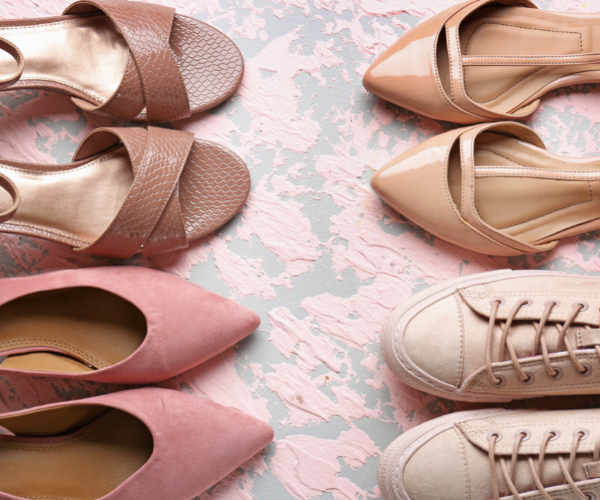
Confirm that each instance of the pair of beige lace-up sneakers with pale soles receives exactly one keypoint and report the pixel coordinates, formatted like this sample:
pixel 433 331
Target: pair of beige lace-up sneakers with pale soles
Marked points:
pixel 497 337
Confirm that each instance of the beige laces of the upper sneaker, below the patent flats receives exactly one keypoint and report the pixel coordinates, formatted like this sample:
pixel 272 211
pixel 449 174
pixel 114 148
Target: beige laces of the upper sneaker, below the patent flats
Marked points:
pixel 539 342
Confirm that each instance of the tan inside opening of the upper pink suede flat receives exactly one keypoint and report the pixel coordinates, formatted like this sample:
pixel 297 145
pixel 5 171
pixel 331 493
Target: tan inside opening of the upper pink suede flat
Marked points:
pixel 69 330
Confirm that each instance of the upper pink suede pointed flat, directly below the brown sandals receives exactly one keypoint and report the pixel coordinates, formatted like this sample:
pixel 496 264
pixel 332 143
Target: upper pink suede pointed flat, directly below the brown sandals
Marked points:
pixel 119 325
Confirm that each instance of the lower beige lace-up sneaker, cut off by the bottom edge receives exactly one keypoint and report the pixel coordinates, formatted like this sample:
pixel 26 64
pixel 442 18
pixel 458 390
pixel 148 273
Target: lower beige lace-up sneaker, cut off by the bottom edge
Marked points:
pixel 485 454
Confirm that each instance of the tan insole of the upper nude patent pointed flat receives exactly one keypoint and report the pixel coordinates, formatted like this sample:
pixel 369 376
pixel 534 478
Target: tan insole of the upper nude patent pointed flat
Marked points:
pixel 523 31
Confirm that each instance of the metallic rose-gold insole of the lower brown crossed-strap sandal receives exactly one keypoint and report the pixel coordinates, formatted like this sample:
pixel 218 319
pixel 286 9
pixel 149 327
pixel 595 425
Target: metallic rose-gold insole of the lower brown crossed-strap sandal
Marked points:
pixel 74 203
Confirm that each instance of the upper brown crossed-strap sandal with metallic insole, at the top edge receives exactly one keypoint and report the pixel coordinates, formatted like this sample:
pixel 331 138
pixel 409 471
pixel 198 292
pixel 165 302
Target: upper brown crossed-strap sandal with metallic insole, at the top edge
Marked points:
pixel 130 60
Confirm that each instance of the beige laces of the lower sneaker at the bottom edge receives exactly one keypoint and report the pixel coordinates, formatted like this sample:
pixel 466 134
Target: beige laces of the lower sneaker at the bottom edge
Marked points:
pixel 537 472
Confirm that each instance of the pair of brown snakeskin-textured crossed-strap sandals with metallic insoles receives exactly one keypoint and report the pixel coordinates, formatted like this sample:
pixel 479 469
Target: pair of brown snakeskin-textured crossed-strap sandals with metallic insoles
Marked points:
pixel 129 190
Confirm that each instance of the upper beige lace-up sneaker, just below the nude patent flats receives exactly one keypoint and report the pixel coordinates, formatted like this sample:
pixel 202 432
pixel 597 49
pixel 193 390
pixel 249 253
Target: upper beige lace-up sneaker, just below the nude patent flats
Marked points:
pixel 499 336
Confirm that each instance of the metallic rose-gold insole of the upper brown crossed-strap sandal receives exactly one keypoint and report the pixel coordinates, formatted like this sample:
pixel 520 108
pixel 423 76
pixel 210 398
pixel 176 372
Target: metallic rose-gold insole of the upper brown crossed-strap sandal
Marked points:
pixel 86 54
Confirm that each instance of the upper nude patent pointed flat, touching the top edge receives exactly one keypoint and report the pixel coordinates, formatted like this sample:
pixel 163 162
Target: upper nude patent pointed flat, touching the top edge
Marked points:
pixel 483 61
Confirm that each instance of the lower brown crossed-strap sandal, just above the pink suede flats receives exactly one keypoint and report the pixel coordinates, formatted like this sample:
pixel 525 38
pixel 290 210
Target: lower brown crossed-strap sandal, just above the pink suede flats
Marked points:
pixel 129 191
